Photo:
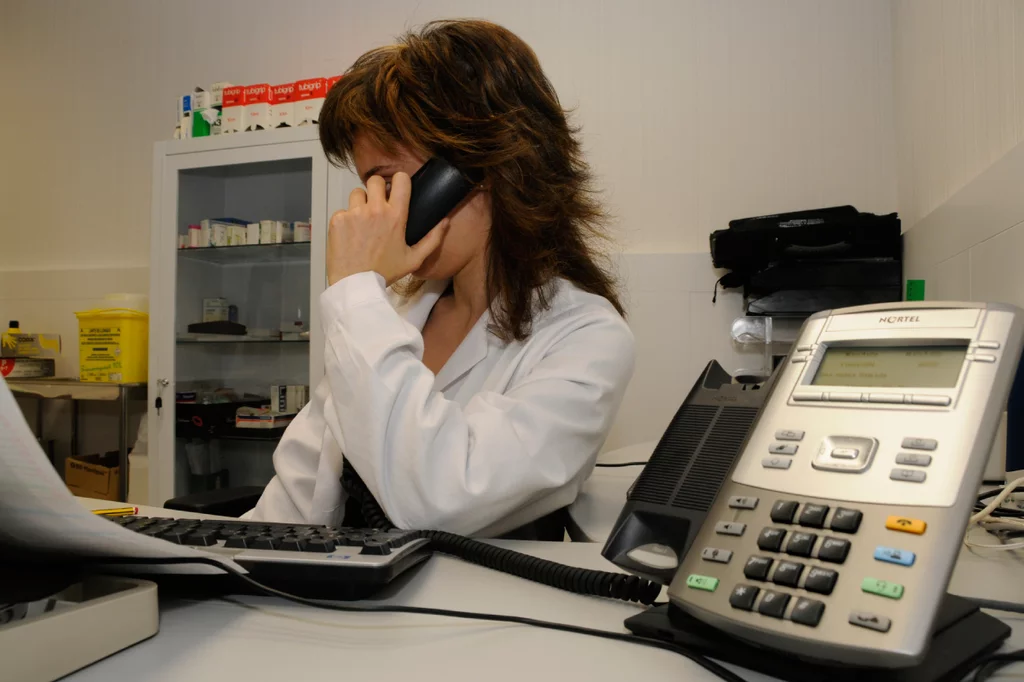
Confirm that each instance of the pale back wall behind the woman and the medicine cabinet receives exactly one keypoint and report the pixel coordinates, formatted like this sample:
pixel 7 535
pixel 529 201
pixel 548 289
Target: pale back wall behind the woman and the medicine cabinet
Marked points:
pixel 694 113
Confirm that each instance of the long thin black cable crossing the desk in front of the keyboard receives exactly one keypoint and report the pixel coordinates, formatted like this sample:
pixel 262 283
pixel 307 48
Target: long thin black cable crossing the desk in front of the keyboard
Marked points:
pixel 709 665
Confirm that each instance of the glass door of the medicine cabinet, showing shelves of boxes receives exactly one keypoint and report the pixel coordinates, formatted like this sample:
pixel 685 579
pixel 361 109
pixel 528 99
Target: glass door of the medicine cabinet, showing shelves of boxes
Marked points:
pixel 242 318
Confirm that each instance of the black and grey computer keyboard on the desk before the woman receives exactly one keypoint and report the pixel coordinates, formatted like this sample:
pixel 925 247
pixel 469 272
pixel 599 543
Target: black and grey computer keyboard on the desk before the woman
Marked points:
pixel 309 561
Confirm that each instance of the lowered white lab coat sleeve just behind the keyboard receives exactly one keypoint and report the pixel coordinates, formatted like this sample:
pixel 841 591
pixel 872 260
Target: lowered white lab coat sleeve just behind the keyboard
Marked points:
pixel 307 486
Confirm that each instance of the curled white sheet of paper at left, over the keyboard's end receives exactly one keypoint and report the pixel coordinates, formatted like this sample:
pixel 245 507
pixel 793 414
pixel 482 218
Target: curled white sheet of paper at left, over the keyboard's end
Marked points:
pixel 37 510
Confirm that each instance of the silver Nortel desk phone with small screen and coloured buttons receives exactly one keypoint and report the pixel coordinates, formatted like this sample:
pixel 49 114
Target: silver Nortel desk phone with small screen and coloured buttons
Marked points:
pixel 835 533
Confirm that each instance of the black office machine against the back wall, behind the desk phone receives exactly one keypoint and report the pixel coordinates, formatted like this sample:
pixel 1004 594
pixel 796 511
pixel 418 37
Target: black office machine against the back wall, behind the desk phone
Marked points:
pixel 796 265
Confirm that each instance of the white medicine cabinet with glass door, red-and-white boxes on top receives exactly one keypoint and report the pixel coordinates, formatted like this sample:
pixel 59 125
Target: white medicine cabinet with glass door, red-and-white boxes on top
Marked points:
pixel 264 299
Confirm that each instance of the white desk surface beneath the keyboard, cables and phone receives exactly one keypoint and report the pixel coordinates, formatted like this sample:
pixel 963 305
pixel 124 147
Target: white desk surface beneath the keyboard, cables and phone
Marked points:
pixel 270 640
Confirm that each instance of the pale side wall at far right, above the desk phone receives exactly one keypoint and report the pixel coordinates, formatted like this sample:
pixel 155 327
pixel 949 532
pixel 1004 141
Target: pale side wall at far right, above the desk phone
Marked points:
pixel 960 121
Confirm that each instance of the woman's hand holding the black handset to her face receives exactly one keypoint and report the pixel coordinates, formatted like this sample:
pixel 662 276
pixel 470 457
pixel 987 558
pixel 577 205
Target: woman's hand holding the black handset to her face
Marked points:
pixel 371 235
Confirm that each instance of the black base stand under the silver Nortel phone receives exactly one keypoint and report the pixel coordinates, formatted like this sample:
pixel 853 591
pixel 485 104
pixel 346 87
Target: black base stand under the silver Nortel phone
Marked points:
pixel 963 636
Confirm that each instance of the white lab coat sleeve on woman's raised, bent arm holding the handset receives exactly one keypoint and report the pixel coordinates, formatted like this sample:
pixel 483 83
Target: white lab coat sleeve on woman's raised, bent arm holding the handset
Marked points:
pixel 433 463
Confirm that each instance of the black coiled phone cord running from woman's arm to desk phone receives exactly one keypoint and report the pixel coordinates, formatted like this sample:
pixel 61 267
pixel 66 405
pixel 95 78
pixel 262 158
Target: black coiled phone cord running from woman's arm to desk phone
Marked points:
pixel 570 579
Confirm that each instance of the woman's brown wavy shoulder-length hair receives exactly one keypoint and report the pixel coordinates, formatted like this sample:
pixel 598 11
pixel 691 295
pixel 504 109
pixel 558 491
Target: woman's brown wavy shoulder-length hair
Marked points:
pixel 475 94
